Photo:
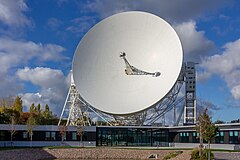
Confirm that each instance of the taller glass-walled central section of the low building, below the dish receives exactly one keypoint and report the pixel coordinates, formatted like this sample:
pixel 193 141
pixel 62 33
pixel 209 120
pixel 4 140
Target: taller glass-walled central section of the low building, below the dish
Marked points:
pixel 131 137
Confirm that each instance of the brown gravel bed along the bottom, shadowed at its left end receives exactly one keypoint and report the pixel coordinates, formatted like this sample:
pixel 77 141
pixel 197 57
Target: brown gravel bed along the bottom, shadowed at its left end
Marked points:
pixel 86 153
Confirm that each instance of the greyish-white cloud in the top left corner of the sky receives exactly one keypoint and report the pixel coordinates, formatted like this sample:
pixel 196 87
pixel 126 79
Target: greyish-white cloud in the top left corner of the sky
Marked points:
pixel 12 13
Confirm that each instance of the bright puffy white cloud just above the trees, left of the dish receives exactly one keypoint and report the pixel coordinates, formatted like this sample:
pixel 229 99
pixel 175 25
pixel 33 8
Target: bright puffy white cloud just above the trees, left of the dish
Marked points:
pixel 53 87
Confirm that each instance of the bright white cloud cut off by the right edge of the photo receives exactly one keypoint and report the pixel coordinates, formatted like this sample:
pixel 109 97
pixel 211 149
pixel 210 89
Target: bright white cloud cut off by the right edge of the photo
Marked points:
pixel 227 66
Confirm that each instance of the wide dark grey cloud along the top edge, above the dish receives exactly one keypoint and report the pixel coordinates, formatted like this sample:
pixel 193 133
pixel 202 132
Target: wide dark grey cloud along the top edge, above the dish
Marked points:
pixel 175 11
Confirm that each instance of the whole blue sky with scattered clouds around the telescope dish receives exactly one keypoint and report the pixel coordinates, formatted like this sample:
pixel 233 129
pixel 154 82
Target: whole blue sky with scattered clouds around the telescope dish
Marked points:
pixel 38 40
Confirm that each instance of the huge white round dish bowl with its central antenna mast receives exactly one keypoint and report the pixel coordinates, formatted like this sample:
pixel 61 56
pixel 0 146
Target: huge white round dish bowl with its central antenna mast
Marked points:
pixel 127 62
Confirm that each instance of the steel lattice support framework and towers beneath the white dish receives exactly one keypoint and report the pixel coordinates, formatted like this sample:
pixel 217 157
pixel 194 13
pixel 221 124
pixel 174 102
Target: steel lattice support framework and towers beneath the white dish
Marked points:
pixel 76 111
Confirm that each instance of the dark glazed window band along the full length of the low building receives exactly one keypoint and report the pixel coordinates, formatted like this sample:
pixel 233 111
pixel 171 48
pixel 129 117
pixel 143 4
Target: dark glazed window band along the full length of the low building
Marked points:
pixel 127 136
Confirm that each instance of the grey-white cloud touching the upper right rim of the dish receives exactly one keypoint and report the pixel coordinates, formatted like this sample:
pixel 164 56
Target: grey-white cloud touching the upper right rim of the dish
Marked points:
pixel 195 44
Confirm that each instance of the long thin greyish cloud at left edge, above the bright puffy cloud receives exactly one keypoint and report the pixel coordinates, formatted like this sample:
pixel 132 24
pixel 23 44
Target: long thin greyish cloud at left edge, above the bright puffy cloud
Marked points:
pixel 16 52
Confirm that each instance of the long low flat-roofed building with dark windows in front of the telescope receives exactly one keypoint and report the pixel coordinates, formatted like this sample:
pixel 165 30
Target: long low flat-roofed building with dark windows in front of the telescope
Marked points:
pixel 228 136
